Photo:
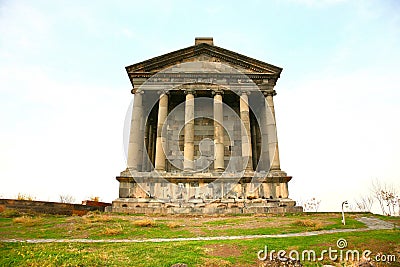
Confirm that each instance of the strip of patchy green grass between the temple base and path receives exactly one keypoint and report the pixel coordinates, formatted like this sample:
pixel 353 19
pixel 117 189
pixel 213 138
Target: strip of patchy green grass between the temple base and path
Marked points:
pixel 111 226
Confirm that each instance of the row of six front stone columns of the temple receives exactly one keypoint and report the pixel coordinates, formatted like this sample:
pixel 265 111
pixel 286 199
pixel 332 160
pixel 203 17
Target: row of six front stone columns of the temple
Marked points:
pixel 142 136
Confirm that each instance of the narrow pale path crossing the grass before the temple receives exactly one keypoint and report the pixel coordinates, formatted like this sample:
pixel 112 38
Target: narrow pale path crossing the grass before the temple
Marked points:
pixel 371 223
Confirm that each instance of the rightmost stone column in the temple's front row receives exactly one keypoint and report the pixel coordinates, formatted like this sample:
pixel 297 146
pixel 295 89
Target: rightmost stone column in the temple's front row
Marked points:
pixel 271 131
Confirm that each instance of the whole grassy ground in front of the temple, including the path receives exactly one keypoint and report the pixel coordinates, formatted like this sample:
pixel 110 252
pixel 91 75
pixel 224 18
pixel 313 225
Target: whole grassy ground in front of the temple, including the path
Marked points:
pixel 126 240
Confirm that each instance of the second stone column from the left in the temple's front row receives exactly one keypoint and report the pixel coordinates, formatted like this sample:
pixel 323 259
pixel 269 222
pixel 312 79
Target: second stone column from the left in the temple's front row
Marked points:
pixel 161 138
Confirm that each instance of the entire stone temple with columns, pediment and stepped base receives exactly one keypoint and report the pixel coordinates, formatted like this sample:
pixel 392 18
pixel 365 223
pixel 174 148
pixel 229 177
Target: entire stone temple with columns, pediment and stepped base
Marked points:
pixel 202 137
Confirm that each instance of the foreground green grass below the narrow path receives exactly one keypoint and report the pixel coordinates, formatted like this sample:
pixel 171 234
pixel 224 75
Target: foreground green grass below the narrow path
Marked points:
pixel 192 253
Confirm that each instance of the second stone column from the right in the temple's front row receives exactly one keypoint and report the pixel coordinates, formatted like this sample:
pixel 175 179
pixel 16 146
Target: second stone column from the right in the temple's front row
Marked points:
pixel 246 135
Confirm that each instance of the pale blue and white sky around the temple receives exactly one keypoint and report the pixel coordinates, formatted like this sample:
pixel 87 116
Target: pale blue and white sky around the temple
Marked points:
pixel 64 91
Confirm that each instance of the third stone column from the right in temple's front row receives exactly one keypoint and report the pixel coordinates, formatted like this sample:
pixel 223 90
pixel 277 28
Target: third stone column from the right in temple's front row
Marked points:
pixel 218 132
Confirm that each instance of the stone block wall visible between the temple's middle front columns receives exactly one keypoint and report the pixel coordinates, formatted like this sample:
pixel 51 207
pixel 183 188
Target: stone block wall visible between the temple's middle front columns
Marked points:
pixel 204 136
